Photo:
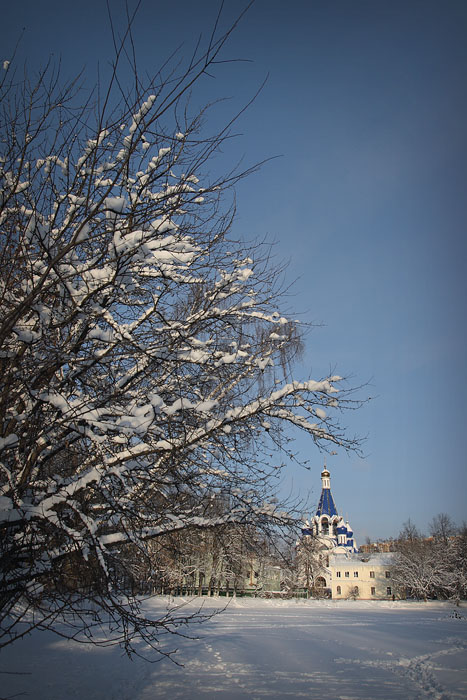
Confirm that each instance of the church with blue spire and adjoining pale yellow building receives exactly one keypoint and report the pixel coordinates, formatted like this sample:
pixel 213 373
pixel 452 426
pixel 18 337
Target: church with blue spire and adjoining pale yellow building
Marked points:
pixel 338 569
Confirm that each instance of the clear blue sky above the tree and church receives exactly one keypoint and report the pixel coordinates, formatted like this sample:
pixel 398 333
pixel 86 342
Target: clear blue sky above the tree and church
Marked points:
pixel 366 103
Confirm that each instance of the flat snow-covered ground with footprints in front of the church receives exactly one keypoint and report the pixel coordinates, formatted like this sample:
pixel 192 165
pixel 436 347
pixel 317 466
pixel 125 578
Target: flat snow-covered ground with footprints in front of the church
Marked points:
pixel 259 649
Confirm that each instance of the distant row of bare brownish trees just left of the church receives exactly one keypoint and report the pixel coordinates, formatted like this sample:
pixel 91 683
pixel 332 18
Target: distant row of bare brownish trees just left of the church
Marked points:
pixel 225 560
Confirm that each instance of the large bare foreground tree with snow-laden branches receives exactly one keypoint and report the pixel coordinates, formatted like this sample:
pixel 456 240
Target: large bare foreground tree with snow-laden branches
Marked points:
pixel 144 353
